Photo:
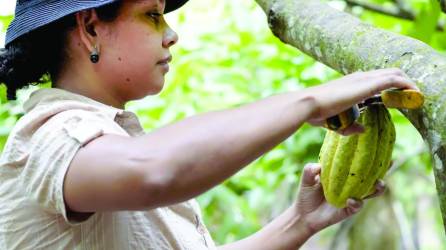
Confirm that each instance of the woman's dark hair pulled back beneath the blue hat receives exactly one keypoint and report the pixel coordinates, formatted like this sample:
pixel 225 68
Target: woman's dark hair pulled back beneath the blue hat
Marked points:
pixel 38 56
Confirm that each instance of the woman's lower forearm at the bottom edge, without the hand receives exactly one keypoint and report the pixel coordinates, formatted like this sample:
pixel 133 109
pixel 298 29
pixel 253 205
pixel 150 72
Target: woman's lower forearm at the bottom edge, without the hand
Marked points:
pixel 287 231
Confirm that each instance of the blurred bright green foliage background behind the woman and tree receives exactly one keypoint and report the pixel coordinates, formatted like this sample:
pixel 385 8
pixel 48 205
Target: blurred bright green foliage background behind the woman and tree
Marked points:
pixel 227 56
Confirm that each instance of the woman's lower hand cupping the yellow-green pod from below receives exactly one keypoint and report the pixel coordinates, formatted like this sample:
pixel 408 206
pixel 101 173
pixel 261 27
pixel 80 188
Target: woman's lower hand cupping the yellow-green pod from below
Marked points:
pixel 314 209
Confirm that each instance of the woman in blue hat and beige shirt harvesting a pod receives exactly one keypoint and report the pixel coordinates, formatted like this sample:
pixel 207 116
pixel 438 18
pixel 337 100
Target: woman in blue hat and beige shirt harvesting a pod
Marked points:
pixel 78 171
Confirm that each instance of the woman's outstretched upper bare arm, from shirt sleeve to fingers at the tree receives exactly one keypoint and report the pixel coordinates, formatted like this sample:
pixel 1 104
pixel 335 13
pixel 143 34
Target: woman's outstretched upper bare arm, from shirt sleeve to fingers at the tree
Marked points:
pixel 185 159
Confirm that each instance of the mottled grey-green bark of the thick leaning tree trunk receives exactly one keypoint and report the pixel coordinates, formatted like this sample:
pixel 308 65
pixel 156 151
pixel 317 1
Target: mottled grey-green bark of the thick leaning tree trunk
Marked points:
pixel 346 44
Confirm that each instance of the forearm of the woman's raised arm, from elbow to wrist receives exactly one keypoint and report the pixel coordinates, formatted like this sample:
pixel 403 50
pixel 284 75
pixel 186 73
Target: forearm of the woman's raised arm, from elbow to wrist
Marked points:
pixel 202 151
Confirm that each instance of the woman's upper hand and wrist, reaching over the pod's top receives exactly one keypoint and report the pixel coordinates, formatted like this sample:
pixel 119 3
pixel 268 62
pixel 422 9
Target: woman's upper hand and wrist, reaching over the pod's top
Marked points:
pixel 336 96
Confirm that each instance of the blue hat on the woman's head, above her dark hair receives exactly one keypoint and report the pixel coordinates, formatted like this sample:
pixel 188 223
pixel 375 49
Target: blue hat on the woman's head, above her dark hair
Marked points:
pixel 33 14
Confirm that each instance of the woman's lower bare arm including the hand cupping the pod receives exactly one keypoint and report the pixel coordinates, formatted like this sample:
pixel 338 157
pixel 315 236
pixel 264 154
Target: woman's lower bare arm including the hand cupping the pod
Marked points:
pixel 307 216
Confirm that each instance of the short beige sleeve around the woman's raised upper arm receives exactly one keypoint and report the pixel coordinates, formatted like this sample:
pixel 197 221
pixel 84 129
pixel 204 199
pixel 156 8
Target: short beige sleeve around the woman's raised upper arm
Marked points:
pixel 53 146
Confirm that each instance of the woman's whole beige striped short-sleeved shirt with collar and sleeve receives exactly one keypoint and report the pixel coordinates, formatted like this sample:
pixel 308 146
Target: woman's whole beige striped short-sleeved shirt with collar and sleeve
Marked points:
pixel 32 168
